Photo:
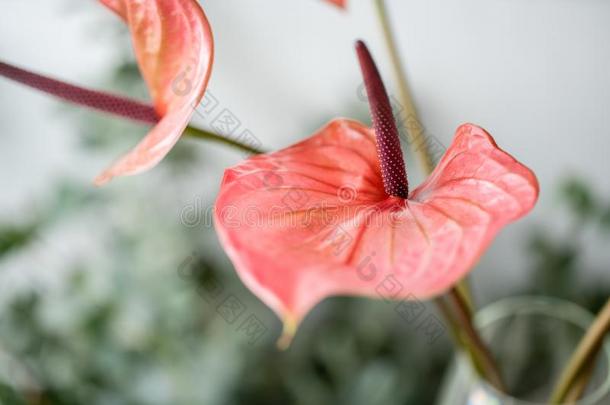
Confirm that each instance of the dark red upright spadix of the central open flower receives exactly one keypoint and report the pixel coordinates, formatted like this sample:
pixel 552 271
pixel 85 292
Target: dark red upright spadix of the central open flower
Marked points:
pixel 392 164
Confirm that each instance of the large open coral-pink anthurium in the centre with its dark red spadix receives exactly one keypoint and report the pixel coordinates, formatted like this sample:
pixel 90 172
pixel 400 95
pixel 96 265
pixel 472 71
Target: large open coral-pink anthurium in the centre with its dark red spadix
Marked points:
pixel 333 214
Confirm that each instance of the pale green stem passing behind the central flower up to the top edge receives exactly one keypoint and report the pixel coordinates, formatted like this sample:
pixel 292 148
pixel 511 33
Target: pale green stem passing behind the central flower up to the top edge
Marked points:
pixel 413 124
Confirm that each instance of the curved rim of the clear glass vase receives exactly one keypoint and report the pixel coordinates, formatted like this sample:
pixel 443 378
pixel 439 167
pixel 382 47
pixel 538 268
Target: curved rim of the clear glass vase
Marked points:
pixel 552 307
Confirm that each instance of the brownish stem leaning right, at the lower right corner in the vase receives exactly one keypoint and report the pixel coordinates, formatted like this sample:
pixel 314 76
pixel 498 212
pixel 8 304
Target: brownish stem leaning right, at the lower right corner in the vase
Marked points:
pixel 583 355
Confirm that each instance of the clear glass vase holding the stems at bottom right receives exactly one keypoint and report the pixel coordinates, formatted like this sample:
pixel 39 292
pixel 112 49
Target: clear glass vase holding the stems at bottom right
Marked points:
pixel 531 339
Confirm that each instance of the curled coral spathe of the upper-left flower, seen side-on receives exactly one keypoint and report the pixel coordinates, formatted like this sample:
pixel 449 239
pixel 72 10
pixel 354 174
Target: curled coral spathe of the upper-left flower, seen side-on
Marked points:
pixel 174 49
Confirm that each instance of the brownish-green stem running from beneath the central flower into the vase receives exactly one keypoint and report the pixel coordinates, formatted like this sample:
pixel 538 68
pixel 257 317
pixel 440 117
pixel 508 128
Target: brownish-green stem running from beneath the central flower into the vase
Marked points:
pixel 475 344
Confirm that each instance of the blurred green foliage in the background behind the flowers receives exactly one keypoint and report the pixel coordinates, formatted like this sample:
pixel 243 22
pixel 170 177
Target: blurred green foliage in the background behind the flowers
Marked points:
pixel 160 339
